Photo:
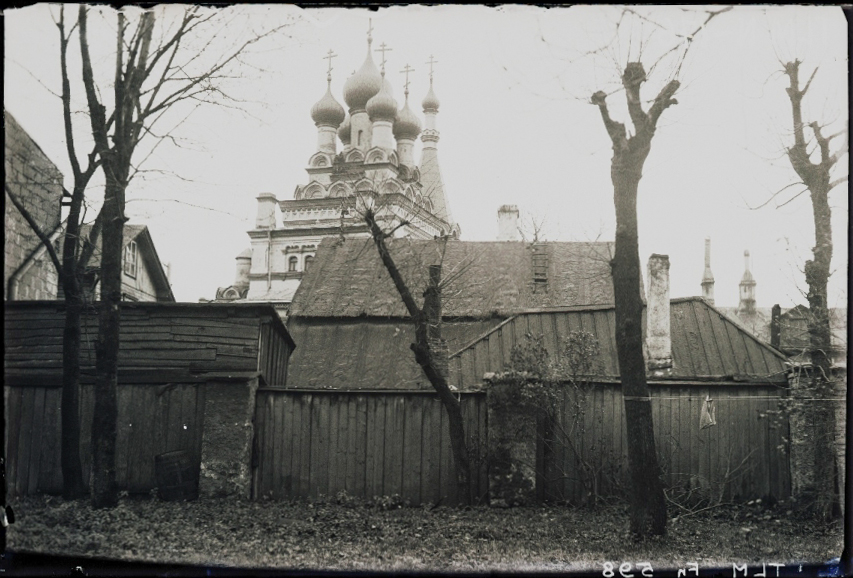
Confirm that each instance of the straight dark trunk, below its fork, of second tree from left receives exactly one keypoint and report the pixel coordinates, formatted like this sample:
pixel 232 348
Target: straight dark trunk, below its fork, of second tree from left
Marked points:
pixel 104 491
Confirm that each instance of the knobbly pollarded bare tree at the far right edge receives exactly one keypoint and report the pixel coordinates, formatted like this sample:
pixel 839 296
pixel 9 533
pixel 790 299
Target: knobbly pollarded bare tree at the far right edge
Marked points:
pixel 816 176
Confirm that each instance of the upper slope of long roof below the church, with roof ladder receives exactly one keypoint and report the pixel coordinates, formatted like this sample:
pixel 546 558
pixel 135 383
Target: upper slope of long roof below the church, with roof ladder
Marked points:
pixel 480 279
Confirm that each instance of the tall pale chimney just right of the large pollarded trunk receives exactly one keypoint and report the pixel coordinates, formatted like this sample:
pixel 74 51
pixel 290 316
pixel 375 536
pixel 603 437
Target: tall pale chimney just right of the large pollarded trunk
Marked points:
pixel 658 338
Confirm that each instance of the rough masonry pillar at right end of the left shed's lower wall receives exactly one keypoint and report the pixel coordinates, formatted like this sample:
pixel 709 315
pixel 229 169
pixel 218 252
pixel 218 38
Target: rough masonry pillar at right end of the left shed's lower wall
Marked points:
pixel 226 445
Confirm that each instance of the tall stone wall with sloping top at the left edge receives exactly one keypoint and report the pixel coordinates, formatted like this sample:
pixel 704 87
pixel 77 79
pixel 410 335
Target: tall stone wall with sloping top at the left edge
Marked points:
pixel 37 183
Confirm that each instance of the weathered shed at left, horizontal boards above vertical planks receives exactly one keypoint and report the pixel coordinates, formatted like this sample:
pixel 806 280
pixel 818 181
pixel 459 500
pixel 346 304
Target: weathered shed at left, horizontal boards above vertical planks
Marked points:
pixel 172 355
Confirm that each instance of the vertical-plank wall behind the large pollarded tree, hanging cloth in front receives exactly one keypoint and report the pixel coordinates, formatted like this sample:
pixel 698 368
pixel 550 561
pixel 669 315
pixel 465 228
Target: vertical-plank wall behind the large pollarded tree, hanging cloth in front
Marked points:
pixel 739 458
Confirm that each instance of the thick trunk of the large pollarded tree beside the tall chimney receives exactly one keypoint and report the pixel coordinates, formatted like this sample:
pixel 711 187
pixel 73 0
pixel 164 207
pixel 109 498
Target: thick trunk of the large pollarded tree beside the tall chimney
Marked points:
pixel 648 509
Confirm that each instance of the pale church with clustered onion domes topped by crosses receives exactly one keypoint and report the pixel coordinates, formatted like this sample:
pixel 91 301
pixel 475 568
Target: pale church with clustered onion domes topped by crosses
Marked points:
pixel 373 163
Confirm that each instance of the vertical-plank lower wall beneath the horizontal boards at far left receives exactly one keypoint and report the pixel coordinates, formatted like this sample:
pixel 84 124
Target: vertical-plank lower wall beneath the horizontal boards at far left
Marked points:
pixel 152 419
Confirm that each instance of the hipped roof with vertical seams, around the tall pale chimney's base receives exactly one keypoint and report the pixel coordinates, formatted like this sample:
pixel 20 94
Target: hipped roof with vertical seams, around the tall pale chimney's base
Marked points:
pixel 706 345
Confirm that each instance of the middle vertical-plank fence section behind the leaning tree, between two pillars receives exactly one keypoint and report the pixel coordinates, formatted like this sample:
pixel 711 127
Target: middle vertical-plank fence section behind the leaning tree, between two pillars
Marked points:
pixel 367 444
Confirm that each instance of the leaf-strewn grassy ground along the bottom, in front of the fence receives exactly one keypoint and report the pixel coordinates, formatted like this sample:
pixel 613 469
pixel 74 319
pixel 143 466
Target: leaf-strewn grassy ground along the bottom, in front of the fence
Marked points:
pixel 348 535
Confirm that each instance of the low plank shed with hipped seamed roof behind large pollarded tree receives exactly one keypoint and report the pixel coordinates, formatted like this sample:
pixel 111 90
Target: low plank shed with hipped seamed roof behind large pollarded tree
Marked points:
pixel 744 455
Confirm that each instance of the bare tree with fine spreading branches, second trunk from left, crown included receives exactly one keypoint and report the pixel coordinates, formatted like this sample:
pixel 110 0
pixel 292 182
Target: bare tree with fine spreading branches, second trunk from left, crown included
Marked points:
pixel 160 62
